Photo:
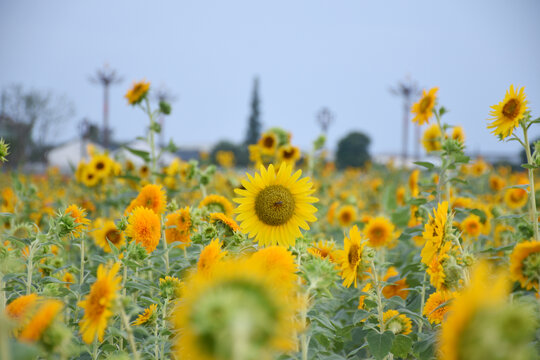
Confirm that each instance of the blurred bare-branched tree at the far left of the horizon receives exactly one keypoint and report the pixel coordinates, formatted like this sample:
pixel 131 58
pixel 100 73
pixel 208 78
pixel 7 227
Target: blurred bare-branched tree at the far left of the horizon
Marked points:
pixel 30 119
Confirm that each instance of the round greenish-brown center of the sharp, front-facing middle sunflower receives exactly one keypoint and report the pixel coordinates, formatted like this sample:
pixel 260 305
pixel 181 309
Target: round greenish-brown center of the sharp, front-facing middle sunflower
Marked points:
pixel 274 205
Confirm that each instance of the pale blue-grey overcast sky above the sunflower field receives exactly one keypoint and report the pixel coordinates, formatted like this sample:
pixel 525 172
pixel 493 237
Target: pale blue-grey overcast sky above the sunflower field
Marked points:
pixel 308 54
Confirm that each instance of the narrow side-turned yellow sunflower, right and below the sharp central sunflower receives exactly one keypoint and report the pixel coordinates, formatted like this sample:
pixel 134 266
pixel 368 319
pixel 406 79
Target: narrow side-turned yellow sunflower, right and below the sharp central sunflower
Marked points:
pixel 350 259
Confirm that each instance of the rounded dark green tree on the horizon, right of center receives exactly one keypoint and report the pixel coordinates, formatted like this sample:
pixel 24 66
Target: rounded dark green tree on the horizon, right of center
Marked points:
pixel 352 150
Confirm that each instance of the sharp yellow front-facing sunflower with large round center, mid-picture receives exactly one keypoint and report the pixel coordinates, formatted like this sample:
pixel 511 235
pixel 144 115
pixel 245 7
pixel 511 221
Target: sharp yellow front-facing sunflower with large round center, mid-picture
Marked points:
pixel 275 205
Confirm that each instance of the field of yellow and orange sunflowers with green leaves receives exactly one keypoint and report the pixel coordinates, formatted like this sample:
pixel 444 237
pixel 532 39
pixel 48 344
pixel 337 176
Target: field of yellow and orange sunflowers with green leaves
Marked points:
pixel 289 259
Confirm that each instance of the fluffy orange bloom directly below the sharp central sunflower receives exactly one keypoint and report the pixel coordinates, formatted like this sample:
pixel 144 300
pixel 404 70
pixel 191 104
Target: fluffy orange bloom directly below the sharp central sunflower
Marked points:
pixel 278 263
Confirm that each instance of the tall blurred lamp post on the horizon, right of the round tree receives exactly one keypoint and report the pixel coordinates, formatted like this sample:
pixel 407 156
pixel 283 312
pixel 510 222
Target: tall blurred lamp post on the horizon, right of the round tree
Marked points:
pixel 407 90
